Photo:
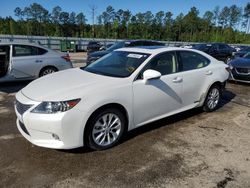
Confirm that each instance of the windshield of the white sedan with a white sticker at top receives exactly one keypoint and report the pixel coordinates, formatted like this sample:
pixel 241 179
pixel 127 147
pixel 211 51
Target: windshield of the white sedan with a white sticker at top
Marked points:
pixel 117 64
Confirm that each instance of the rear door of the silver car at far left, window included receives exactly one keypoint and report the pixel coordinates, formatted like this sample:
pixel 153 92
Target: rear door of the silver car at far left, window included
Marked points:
pixel 26 60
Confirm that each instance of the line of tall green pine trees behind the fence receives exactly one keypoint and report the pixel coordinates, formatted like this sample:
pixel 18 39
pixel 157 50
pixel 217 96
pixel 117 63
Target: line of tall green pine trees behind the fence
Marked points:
pixel 227 24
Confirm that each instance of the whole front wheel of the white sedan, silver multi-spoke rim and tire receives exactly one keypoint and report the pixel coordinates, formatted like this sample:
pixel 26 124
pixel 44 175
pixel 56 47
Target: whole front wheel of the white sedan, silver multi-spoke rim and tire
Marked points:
pixel 105 129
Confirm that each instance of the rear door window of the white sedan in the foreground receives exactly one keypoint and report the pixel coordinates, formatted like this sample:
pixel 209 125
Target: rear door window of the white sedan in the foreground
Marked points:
pixel 192 60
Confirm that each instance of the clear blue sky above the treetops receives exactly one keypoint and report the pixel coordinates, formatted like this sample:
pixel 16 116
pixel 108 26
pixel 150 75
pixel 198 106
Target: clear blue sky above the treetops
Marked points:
pixel 175 6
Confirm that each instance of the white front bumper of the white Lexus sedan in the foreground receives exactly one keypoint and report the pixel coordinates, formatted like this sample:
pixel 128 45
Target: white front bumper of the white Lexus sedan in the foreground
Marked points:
pixel 58 131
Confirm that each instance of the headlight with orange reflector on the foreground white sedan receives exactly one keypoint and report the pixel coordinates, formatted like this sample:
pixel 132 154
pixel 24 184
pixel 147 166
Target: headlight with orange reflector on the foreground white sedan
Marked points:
pixel 55 107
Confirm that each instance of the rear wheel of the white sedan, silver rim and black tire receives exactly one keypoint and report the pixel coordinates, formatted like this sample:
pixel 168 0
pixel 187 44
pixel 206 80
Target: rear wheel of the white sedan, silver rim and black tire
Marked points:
pixel 213 99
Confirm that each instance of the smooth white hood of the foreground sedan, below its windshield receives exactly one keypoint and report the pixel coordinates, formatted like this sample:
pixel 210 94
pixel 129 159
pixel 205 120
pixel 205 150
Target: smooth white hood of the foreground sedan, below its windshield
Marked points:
pixel 67 85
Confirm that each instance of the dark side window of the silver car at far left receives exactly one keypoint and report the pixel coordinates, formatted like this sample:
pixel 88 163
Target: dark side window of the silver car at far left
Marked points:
pixel 24 50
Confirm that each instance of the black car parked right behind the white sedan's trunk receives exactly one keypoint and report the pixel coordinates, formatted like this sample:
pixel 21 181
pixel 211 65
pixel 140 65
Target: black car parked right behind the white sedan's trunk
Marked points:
pixel 220 51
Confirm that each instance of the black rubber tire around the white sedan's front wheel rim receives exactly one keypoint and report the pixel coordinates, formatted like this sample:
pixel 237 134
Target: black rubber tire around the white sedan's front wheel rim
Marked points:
pixel 89 135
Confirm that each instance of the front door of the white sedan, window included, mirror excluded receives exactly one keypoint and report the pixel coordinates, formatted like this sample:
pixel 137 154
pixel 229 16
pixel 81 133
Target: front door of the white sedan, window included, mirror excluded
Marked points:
pixel 157 97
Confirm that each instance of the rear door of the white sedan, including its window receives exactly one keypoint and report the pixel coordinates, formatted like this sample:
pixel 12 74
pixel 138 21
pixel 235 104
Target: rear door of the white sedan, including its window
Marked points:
pixel 196 74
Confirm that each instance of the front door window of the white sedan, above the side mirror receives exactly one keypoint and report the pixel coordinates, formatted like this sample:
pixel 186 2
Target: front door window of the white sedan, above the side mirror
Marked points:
pixel 164 63
